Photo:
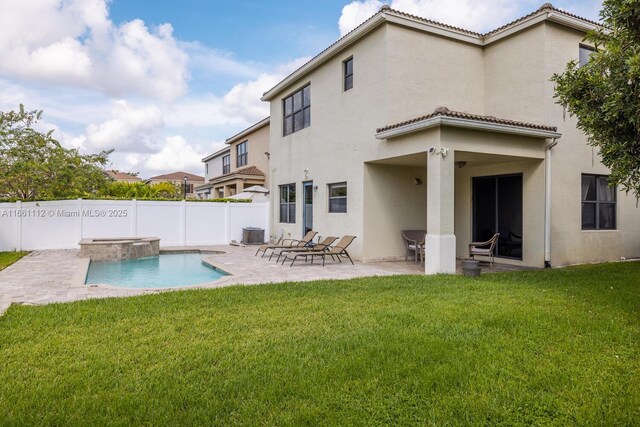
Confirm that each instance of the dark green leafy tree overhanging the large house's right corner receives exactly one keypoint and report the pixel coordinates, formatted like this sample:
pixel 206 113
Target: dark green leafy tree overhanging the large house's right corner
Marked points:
pixel 604 94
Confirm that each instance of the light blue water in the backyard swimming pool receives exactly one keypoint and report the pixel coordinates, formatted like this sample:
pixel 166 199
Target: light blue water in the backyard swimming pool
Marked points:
pixel 164 271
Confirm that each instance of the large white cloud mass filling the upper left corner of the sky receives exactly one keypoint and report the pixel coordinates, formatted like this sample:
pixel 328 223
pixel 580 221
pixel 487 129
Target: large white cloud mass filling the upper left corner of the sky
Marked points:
pixel 76 45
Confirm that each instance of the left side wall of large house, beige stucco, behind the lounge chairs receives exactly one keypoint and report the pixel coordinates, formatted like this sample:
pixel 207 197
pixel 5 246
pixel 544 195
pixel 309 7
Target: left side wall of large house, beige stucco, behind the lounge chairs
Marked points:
pixel 332 148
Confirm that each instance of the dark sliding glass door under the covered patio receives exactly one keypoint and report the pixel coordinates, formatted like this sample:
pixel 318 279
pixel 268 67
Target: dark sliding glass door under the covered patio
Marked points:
pixel 497 208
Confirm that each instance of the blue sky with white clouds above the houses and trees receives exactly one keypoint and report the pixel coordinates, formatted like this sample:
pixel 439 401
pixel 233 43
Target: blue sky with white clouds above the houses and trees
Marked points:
pixel 164 82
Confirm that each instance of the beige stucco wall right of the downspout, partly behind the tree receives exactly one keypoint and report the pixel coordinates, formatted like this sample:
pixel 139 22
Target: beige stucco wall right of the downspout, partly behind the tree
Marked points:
pixel 571 158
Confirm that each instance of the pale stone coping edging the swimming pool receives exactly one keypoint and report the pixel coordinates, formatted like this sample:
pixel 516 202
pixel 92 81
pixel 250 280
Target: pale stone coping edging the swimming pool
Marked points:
pixel 80 276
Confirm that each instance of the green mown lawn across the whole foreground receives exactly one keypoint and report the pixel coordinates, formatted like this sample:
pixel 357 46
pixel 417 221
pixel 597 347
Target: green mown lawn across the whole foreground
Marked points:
pixel 548 347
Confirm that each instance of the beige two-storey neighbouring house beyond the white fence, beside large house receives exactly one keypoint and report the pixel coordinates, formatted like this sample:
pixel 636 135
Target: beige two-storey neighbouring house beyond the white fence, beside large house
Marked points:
pixel 244 163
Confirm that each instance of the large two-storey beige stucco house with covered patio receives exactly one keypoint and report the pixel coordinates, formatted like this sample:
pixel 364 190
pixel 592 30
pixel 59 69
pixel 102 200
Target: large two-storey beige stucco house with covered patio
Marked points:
pixel 362 144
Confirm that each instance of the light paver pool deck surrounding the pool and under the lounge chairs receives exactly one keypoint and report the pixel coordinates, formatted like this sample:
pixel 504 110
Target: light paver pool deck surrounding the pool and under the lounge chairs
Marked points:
pixel 55 276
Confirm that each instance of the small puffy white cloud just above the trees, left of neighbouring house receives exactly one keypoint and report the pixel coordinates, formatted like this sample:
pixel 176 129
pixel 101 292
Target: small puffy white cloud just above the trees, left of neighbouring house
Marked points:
pixel 176 154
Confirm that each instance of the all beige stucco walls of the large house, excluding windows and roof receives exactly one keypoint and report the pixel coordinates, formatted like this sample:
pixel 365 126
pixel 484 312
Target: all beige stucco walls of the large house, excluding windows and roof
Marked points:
pixel 401 73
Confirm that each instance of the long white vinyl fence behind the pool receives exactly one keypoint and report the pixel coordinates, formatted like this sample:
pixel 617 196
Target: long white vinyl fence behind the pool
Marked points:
pixel 61 224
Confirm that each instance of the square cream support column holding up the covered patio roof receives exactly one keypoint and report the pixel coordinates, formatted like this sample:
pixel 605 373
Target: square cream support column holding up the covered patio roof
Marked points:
pixel 440 252
